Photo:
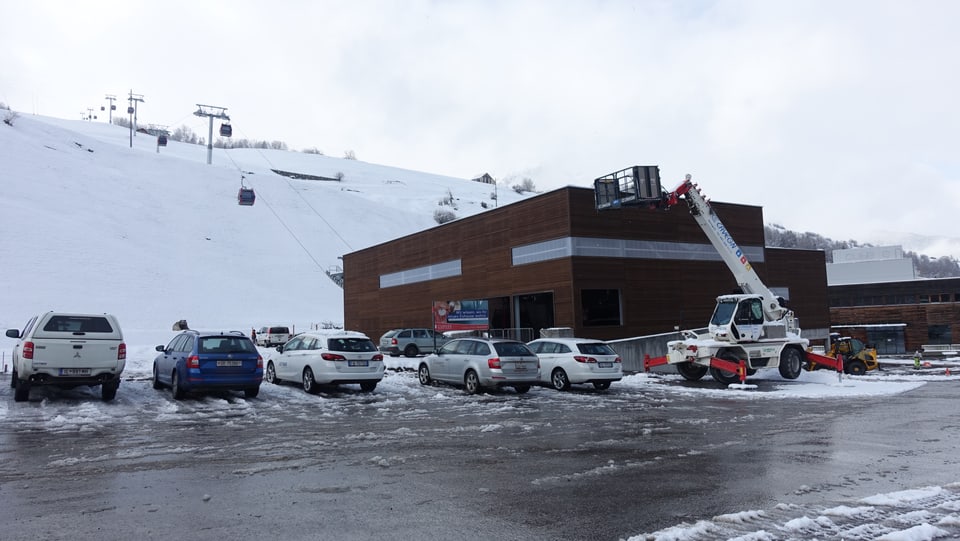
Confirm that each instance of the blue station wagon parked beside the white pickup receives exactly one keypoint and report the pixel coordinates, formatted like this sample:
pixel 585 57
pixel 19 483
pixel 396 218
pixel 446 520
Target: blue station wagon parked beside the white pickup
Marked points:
pixel 206 361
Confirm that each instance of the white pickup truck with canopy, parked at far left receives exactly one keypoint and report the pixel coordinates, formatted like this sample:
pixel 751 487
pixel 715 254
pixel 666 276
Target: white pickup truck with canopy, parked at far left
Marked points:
pixel 68 350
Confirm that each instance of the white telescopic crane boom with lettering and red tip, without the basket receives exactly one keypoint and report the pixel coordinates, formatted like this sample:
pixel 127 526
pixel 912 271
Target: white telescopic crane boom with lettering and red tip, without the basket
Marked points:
pixel 728 249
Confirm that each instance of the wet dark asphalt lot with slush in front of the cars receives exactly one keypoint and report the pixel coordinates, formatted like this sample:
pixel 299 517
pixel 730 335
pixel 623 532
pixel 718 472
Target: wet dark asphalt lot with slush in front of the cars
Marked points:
pixel 408 463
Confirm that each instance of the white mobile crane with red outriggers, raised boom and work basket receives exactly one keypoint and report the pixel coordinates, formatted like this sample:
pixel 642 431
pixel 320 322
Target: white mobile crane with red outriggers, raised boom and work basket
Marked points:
pixel 748 331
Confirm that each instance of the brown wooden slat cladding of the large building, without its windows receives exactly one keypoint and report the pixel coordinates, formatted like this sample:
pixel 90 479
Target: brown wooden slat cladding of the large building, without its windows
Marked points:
pixel 656 294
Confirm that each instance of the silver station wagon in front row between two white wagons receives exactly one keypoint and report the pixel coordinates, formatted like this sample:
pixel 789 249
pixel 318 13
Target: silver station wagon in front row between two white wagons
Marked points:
pixel 476 363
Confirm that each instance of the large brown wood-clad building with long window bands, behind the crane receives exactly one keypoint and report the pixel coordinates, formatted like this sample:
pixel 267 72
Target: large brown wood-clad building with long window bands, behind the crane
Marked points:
pixel 553 260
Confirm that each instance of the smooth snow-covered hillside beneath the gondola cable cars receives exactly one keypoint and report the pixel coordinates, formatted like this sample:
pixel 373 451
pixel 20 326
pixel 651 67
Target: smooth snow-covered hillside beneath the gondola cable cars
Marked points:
pixel 89 224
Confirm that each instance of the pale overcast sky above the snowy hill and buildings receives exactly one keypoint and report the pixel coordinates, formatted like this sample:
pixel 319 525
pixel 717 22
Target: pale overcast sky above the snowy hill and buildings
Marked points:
pixel 837 117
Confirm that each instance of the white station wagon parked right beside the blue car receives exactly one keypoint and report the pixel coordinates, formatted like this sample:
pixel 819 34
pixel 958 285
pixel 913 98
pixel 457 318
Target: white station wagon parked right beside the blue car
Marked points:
pixel 317 358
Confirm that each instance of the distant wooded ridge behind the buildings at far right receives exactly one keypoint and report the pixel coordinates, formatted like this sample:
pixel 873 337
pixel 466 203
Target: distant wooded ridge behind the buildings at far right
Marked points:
pixel 778 236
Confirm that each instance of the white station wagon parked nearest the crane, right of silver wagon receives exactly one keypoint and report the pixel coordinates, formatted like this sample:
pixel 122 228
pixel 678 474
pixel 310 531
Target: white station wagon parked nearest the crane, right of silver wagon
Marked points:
pixel 577 360
